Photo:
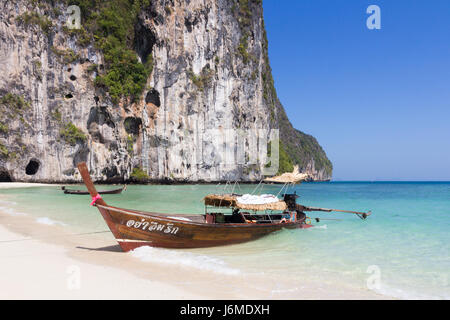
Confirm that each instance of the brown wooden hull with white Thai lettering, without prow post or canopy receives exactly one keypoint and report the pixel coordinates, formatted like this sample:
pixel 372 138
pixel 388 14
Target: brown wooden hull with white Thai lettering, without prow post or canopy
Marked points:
pixel 133 229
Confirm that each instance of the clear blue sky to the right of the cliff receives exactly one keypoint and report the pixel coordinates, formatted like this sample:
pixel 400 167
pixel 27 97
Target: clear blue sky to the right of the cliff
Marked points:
pixel 378 101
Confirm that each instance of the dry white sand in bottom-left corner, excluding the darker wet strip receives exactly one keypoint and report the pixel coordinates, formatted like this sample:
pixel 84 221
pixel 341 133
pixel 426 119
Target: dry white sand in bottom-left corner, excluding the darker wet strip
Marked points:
pixel 34 270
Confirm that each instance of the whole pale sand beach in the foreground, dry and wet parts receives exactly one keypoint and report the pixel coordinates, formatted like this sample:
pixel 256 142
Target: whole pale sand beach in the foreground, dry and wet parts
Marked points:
pixel 44 262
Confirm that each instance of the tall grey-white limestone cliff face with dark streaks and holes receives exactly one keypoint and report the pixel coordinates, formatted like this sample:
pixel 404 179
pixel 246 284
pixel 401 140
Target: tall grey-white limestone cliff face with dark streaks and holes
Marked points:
pixel 207 110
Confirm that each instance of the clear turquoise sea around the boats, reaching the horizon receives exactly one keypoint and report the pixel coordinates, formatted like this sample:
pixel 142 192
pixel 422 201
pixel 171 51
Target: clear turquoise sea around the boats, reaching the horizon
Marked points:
pixel 402 250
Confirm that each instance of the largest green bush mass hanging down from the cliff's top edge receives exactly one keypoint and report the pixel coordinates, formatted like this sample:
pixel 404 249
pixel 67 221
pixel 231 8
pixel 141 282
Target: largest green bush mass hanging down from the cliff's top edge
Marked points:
pixel 110 25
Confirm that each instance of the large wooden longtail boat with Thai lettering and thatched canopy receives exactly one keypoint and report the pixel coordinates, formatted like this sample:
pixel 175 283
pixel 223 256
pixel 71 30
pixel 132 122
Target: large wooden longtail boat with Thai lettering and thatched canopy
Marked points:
pixel 134 228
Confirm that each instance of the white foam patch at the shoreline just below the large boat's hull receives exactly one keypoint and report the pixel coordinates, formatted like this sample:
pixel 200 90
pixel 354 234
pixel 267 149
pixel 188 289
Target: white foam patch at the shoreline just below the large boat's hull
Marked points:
pixel 184 259
